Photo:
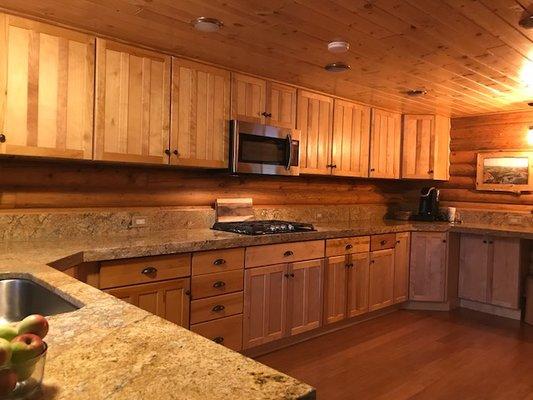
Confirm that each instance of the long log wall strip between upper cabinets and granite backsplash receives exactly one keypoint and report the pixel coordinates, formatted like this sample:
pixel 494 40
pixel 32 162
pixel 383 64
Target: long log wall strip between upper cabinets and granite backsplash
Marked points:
pixel 45 184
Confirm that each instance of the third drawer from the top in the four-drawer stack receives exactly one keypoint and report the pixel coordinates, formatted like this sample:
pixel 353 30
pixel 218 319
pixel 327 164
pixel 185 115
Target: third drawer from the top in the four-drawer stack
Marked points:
pixel 204 310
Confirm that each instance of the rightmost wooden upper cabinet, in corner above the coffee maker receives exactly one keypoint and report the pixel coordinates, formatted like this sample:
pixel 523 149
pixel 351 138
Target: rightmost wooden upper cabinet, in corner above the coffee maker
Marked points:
pixel 425 150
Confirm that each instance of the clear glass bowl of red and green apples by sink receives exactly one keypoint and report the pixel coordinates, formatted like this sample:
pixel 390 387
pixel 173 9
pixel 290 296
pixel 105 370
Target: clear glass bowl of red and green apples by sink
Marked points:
pixel 22 357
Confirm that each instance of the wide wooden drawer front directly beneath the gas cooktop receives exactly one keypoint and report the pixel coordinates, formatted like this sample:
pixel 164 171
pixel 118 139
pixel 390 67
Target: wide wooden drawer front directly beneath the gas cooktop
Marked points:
pixel 283 253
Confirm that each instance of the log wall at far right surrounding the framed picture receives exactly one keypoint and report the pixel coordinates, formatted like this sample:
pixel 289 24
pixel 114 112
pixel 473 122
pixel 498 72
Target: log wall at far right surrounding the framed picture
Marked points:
pixel 484 133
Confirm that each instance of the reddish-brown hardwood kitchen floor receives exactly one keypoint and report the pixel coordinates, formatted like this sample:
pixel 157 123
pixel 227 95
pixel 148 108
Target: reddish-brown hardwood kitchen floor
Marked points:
pixel 416 355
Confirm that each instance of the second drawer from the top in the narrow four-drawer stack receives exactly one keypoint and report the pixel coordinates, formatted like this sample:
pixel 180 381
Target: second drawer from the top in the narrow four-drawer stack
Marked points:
pixel 215 284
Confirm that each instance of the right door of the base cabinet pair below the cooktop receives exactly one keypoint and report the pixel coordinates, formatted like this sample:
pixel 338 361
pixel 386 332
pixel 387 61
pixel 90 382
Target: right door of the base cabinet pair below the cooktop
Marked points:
pixel 305 296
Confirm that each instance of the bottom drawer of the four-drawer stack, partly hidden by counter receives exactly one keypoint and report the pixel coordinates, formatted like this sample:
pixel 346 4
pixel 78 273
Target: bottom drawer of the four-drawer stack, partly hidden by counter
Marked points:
pixel 226 331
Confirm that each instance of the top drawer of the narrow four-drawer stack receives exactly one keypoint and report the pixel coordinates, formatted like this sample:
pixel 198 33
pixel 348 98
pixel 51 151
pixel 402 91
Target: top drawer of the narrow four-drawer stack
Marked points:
pixel 207 262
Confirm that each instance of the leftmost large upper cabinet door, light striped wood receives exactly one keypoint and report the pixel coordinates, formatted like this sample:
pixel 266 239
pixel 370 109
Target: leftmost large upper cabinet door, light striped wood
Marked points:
pixel 47 90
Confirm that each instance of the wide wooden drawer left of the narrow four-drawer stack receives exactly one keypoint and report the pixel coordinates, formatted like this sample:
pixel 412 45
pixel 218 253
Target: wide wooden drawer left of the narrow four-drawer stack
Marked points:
pixel 142 270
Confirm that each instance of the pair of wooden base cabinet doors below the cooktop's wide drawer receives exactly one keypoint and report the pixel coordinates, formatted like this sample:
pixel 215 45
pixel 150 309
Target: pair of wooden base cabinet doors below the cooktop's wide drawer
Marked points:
pixel 281 300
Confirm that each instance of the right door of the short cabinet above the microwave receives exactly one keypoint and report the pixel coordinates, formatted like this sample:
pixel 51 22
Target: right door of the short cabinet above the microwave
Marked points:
pixel 281 105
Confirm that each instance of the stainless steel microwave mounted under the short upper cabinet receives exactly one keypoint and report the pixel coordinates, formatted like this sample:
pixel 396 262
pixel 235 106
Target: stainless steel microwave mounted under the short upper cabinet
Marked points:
pixel 264 149
